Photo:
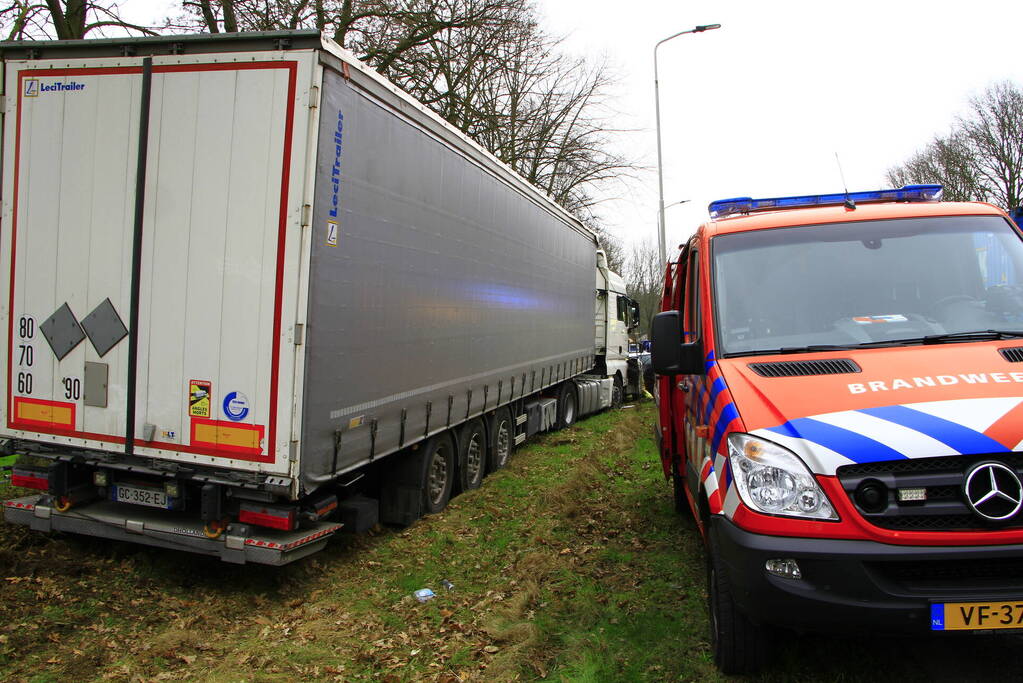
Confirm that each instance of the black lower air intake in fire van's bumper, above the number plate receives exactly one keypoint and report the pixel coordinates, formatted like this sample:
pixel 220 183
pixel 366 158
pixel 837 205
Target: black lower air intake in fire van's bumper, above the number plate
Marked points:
pixel 1001 573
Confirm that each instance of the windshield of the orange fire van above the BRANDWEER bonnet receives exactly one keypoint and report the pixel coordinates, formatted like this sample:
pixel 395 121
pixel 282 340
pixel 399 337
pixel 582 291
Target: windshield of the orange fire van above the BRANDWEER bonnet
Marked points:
pixel 920 281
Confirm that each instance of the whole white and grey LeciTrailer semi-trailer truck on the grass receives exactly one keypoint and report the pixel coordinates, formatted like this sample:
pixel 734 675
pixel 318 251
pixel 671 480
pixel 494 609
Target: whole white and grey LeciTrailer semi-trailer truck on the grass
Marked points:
pixel 252 294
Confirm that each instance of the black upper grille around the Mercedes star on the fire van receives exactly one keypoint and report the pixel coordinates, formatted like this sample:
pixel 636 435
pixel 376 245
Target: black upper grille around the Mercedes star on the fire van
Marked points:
pixel 945 510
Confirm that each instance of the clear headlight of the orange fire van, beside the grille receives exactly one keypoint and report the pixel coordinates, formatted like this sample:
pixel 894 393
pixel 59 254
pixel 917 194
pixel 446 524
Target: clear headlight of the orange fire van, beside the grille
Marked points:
pixel 775 481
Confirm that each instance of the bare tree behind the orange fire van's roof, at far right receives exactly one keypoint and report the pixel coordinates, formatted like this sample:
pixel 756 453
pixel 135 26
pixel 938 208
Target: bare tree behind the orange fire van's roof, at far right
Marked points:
pixel 982 159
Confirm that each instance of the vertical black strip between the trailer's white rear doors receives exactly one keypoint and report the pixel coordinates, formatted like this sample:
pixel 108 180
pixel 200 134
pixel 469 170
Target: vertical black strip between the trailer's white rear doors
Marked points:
pixel 137 254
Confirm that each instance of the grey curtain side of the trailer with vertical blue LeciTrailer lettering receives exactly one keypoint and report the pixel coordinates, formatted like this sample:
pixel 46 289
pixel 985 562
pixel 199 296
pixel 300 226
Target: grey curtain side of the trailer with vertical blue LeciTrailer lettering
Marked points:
pixel 435 288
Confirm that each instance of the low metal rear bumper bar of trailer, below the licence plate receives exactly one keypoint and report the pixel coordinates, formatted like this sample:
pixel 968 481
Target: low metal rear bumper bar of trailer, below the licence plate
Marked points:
pixel 240 544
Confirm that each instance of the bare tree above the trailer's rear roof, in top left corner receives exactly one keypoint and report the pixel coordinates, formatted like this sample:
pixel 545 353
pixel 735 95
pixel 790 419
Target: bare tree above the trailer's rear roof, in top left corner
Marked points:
pixel 64 20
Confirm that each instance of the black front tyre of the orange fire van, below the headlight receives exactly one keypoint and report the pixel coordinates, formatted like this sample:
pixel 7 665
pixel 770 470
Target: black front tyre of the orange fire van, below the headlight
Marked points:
pixel 739 646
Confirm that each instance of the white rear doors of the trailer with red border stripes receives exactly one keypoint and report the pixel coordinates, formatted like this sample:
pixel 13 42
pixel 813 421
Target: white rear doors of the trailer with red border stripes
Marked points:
pixel 217 264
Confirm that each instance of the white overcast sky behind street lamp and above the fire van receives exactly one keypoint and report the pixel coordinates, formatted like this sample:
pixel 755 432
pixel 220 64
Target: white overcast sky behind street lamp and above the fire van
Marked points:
pixel 761 107
